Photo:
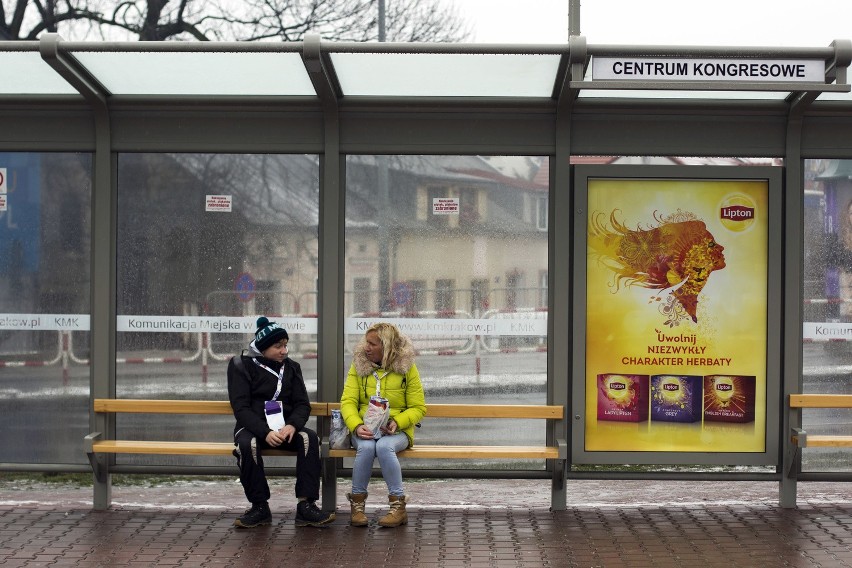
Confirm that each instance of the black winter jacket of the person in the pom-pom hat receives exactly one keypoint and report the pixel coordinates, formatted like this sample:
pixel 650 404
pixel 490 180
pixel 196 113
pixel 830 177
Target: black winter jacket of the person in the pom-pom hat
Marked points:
pixel 250 385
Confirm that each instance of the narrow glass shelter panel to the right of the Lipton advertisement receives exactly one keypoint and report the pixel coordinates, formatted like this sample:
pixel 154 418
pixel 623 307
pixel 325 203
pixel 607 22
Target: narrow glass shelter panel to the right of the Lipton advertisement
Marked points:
pixel 827 310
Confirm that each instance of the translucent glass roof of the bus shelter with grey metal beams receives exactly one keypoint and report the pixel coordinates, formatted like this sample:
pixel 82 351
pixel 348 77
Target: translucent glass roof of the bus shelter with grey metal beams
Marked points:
pixel 317 70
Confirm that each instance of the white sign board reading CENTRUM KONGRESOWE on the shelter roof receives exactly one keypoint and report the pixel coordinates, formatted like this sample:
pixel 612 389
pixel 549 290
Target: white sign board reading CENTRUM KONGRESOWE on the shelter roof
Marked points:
pixel 672 69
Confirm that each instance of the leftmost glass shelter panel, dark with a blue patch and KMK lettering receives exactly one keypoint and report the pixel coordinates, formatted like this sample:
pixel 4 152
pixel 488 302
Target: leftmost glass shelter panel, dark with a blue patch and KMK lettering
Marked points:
pixel 44 305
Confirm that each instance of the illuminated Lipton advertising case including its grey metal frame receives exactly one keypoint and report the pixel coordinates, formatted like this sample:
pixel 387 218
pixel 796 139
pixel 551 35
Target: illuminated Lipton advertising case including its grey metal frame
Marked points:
pixel 677 327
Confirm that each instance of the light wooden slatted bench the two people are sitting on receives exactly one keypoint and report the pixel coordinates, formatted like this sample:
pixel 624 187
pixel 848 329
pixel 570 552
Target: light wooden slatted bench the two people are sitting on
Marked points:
pixel 98 448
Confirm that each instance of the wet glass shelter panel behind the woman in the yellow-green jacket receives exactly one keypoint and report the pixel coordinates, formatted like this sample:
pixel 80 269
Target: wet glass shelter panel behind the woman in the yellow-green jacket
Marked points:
pixel 449 248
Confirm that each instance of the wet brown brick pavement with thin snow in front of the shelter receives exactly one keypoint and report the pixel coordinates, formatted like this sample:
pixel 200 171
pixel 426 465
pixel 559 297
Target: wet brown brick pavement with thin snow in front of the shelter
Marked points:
pixel 47 529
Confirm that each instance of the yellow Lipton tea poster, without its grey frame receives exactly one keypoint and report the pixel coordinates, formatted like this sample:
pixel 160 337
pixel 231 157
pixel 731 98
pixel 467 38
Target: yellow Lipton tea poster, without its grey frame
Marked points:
pixel 676 315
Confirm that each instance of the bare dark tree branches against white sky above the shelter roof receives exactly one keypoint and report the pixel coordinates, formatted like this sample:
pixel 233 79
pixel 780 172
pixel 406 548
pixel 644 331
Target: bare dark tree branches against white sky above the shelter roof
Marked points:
pixel 231 20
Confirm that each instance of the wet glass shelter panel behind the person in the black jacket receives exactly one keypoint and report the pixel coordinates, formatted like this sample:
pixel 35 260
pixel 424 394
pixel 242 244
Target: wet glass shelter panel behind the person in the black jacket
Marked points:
pixel 206 244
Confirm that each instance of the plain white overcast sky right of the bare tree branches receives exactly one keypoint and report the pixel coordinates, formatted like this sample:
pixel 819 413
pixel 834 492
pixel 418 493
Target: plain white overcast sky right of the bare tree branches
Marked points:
pixel 803 23
